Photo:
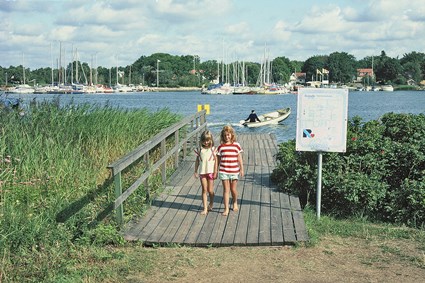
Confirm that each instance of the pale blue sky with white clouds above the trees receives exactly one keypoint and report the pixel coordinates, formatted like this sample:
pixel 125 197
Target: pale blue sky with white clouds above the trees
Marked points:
pixel 35 33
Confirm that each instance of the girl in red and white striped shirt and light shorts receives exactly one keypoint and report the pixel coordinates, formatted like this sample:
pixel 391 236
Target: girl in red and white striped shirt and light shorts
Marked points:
pixel 230 166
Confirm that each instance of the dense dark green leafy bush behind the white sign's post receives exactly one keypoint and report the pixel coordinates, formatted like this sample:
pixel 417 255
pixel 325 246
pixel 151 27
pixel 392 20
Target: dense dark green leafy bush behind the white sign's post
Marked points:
pixel 380 176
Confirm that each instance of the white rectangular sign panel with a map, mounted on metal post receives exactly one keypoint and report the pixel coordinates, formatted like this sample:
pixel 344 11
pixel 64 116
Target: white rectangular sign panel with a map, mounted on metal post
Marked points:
pixel 322 119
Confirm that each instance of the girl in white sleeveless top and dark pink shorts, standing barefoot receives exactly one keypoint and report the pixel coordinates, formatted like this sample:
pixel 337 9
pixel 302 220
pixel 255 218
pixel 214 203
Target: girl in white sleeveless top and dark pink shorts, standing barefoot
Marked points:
pixel 206 169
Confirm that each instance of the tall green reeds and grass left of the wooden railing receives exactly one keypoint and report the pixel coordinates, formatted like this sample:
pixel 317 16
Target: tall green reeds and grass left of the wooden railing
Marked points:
pixel 55 188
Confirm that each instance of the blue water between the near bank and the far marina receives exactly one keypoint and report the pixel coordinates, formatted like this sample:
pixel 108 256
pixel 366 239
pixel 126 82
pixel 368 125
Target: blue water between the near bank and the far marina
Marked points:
pixel 230 109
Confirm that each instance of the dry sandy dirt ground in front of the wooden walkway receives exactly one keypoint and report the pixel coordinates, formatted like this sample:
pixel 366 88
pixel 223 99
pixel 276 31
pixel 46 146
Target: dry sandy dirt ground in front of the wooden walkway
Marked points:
pixel 332 260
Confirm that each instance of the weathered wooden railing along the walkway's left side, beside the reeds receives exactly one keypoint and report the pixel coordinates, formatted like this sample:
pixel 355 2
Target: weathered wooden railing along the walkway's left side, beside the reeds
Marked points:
pixel 191 127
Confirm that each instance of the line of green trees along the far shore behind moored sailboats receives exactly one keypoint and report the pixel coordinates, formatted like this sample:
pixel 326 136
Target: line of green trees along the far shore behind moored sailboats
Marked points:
pixel 188 71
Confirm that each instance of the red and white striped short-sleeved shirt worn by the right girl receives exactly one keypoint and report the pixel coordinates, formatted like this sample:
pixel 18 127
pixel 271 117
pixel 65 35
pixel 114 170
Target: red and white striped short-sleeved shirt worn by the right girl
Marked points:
pixel 229 158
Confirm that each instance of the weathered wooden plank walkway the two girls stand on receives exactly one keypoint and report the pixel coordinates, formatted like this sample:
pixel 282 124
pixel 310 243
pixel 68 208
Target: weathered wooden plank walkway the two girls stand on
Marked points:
pixel 265 217
